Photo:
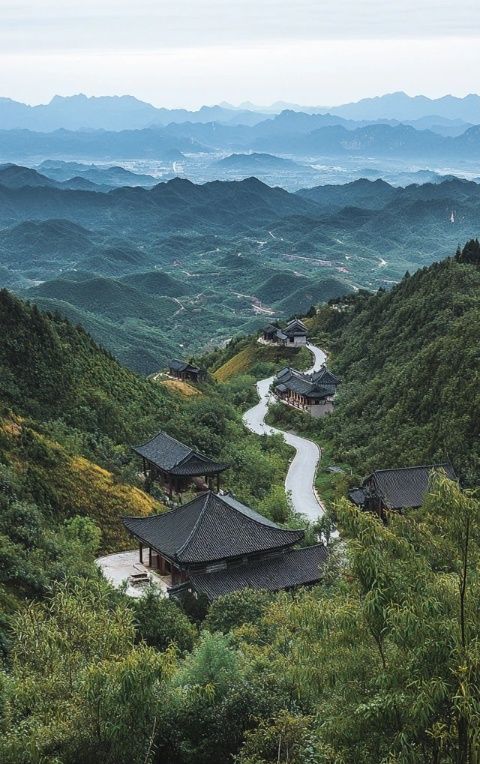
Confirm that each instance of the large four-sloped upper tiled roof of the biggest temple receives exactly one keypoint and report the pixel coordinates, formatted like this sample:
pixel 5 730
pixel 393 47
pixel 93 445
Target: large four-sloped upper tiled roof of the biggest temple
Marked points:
pixel 210 528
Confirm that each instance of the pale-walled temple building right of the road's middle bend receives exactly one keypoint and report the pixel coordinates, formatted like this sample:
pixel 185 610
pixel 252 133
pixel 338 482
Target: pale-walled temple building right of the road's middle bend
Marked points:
pixel 312 392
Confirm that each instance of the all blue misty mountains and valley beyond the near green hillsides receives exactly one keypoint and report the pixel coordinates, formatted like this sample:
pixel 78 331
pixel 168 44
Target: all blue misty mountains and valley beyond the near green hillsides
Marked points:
pixel 164 232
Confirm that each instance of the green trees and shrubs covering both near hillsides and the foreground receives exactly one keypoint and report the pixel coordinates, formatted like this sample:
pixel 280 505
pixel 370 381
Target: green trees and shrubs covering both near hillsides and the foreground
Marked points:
pixel 380 663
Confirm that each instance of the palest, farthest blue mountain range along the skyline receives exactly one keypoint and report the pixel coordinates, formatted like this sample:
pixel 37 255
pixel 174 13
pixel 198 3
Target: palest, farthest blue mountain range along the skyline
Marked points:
pixel 79 112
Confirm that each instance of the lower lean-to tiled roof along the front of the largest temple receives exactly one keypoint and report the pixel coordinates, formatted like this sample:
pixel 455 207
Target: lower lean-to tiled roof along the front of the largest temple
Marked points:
pixel 296 567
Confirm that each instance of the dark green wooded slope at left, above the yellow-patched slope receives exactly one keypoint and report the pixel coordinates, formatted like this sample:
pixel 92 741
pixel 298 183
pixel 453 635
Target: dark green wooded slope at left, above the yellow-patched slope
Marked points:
pixel 50 369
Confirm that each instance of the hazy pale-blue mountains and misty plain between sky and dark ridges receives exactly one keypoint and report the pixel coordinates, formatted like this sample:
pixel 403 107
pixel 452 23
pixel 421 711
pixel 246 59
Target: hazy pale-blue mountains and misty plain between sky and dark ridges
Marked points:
pixel 293 148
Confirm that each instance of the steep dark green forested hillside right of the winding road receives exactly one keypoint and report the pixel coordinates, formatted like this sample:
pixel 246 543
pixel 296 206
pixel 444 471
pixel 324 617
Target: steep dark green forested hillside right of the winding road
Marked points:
pixel 409 359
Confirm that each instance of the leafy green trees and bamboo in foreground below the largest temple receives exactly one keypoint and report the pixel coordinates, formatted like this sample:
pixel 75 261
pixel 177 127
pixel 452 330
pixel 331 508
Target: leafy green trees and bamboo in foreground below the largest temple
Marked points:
pixel 378 664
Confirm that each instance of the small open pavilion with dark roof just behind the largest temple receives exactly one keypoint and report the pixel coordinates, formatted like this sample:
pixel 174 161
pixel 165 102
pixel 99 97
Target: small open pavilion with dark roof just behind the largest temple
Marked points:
pixel 176 465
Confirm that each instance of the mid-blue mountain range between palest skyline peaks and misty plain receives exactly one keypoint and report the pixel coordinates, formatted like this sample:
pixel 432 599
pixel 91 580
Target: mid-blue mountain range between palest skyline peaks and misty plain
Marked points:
pixel 285 134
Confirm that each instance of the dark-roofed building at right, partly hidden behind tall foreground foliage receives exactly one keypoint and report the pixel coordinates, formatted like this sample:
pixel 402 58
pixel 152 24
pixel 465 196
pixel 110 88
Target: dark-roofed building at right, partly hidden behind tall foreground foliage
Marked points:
pixel 396 489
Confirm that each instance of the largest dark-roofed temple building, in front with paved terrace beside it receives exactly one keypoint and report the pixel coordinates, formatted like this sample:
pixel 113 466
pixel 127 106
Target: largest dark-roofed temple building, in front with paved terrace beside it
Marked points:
pixel 215 545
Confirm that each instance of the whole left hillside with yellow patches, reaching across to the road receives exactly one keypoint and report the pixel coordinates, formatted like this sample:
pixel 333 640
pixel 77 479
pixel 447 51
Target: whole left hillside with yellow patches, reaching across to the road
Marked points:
pixel 69 413
